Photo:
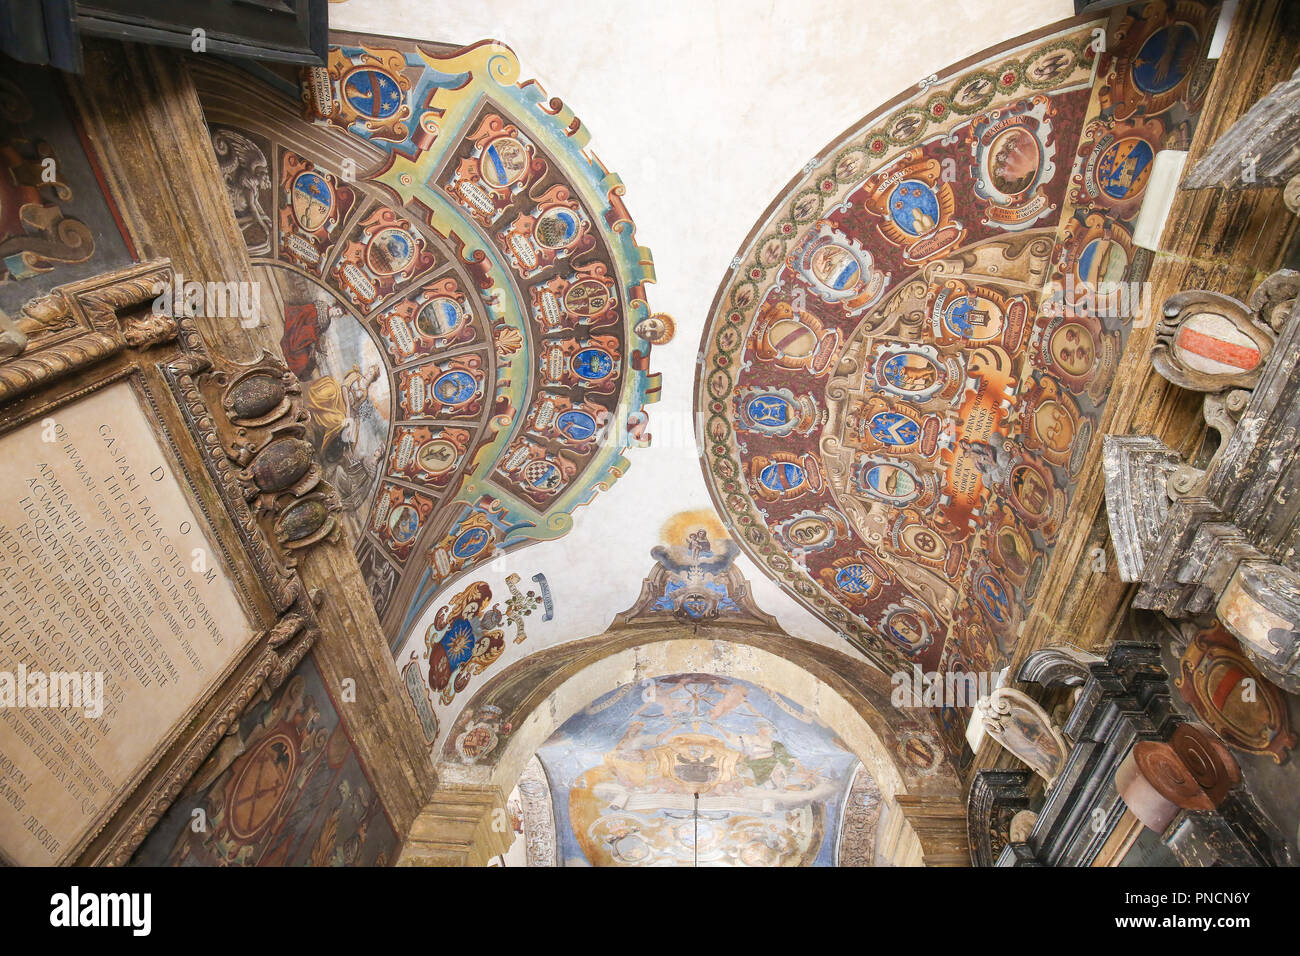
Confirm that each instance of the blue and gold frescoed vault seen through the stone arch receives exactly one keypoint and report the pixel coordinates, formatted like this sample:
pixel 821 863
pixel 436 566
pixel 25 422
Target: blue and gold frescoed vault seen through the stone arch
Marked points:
pixel 625 773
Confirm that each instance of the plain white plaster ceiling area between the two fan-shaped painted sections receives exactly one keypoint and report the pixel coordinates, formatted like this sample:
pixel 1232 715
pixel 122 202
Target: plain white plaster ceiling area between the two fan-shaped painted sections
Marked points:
pixel 703 148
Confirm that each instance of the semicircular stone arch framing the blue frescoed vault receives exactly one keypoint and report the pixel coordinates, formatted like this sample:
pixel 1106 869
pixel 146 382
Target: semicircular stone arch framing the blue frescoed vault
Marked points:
pixel 536 697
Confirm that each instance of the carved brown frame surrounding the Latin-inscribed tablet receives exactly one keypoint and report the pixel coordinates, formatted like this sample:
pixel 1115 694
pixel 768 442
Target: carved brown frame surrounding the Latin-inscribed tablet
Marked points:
pixel 103 331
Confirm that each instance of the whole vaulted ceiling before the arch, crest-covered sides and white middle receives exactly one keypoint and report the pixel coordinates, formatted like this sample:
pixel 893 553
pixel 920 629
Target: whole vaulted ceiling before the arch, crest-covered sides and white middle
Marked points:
pixel 895 382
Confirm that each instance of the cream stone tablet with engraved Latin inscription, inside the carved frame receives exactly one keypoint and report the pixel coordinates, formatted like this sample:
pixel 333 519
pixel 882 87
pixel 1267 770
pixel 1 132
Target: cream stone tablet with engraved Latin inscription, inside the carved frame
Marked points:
pixel 107 576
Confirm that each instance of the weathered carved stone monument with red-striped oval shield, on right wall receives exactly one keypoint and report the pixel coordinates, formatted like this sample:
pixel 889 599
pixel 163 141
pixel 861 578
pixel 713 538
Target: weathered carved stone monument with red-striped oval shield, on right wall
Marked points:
pixel 1219 538
